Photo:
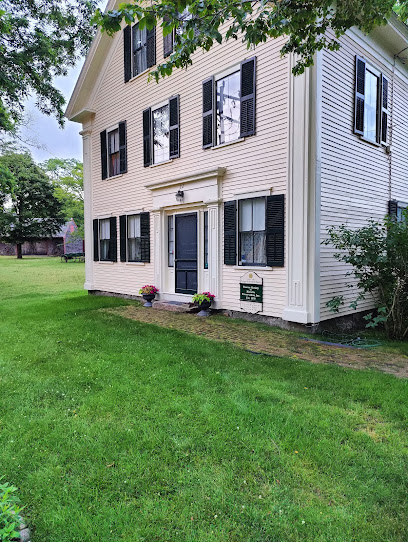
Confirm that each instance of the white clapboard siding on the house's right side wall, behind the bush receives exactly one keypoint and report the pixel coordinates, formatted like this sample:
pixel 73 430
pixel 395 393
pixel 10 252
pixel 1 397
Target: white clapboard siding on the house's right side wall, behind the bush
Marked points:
pixel 355 179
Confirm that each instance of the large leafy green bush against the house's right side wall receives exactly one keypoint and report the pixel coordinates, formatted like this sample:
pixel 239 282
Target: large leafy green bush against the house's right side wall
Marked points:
pixel 378 254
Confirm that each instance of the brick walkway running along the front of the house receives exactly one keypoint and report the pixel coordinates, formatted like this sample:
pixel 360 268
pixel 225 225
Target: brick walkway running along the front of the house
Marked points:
pixel 269 340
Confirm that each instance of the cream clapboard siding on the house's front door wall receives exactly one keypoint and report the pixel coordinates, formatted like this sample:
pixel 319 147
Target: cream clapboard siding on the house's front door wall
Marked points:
pixel 257 163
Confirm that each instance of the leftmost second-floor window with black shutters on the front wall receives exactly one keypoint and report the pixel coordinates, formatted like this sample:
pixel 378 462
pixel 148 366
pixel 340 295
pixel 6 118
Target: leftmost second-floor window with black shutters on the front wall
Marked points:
pixel 114 151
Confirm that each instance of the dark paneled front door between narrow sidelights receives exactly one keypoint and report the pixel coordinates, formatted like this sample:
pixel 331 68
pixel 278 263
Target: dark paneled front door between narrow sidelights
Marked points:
pixel 186 253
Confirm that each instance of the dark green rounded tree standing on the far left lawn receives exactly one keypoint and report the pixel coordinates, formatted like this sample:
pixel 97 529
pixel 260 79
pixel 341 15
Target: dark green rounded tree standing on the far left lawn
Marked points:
pixel 28 207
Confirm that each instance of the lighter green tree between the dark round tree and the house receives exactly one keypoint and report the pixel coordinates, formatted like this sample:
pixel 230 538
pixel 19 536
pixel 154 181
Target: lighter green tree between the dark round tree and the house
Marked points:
pixel 67 178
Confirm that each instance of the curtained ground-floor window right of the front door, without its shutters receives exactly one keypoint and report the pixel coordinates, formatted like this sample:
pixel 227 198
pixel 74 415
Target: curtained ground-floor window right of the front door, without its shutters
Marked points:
pixel 252 234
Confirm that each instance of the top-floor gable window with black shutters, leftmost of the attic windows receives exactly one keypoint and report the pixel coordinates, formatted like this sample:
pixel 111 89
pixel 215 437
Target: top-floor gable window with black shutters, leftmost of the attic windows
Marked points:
pixel 139 50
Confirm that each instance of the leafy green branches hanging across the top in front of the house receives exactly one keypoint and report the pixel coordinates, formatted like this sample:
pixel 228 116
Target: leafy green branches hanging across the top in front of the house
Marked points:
pixel 306 25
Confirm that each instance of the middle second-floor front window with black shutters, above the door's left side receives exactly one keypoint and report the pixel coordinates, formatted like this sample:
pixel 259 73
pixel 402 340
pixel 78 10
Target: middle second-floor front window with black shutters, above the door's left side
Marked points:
pixel 161 132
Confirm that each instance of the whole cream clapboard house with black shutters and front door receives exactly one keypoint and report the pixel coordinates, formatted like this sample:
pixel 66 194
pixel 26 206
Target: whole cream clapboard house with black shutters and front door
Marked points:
pixel 225 177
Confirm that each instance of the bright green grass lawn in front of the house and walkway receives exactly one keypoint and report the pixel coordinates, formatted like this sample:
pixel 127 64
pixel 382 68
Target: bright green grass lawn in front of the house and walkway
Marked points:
pixel 115 430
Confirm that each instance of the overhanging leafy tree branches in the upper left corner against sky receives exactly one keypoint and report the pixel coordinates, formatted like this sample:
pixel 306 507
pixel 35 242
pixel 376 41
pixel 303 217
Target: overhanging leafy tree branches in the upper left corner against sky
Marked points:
pixel 39 40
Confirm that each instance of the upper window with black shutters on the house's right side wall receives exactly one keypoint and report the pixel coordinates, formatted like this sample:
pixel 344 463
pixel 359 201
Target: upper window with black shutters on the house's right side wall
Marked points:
pixel 371 103
